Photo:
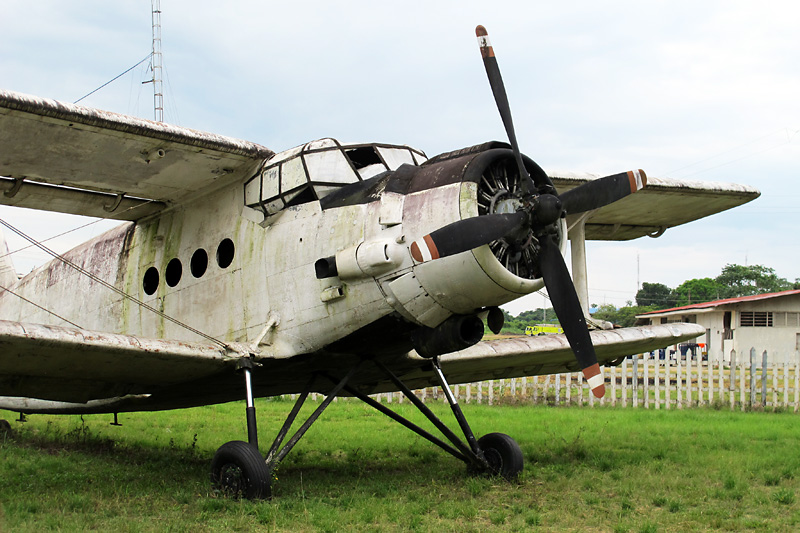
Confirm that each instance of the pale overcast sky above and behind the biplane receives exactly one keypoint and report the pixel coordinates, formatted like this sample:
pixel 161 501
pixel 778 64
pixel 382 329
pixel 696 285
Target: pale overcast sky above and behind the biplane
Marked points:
pixel 683 89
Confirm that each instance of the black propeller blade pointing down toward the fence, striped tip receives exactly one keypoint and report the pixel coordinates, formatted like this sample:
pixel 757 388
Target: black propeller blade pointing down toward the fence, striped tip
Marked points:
pixel 570 315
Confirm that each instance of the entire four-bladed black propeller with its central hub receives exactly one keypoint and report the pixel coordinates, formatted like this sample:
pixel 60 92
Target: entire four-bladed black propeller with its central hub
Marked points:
pixel 538 207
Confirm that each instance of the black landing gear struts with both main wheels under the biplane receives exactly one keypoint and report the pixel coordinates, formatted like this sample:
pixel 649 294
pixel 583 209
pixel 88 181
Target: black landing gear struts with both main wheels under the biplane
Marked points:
pixel 239 470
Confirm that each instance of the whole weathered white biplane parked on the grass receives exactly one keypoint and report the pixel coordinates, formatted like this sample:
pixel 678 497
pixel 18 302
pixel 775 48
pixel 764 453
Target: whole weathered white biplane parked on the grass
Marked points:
pixel 333 268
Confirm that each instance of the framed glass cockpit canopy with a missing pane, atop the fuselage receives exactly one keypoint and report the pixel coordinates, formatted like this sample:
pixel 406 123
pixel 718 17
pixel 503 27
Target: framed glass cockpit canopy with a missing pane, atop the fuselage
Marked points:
pixel 312 171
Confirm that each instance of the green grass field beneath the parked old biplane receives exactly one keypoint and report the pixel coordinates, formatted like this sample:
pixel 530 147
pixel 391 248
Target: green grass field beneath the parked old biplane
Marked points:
pixel 600 469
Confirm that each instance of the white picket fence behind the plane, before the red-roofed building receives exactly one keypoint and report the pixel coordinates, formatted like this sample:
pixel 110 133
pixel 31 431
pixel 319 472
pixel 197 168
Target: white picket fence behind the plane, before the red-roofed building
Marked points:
pixel 751 382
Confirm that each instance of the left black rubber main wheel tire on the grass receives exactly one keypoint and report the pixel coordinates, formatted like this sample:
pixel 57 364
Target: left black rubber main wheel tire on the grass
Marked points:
pixel 238 470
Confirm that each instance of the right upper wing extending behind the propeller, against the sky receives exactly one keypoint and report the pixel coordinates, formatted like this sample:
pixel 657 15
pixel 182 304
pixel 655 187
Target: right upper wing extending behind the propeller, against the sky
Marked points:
pixel 662 204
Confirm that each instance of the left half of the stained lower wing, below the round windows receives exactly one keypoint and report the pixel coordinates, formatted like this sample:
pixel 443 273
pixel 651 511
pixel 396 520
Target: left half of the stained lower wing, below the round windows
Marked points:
pixel 69 364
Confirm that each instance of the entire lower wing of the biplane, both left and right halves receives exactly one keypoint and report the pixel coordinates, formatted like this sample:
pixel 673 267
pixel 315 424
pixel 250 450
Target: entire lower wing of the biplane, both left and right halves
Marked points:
pixel 50 369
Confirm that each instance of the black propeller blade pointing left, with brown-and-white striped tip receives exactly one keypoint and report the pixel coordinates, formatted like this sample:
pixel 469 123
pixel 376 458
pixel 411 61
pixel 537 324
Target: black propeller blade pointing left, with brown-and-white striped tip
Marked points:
pixel 465 234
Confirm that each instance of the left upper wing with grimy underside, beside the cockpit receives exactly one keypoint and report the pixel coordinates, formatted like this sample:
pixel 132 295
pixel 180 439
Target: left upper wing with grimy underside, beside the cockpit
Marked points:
pixel 74 159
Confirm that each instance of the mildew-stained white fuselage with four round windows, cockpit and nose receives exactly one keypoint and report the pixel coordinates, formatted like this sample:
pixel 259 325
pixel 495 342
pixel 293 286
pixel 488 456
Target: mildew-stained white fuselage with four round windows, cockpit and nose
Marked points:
pixel 239 264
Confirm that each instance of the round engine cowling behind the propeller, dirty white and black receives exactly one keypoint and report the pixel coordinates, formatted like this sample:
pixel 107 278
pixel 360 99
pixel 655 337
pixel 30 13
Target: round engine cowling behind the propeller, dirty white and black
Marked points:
pixel 469 183
